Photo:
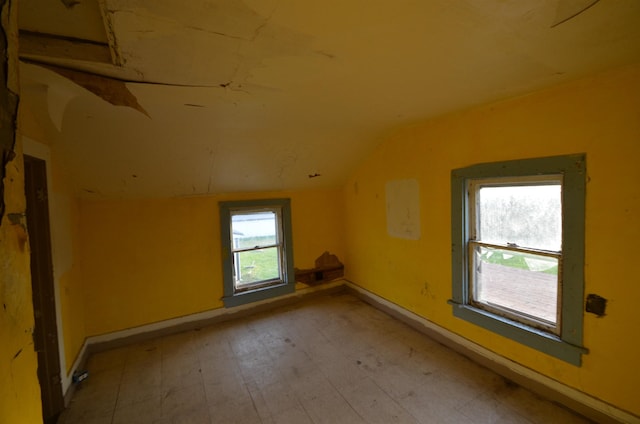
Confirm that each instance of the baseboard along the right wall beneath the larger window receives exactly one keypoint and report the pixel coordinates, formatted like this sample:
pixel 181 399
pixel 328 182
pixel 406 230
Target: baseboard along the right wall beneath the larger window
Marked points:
pixel 580 402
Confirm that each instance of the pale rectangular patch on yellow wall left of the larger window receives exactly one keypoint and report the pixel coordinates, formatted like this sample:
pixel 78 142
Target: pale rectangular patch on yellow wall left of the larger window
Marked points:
pixel 403 209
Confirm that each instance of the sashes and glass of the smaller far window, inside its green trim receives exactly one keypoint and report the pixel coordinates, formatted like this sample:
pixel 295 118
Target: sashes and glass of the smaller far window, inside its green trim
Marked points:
pixel 257 248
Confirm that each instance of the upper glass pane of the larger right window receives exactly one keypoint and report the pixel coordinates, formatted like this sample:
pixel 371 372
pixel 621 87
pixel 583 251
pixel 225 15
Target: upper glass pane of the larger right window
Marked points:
pixel 527 215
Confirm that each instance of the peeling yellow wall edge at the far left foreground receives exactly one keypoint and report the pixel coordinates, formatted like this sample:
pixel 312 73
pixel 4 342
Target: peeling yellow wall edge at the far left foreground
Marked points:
pixel 20 400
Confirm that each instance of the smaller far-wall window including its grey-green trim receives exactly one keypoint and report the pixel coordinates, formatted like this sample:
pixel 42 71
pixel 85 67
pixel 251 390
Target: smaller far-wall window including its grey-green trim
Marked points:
pixel 256 250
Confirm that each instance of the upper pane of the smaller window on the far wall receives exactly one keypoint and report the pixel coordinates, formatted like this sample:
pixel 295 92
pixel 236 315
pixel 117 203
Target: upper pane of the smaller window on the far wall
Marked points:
pixel 254 229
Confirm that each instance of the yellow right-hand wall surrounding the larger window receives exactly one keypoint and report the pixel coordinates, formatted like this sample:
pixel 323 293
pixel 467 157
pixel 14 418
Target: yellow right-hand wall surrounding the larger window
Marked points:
pixel 599 116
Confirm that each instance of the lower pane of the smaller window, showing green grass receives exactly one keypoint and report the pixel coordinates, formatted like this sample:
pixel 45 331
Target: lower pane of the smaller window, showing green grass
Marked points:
pixel 255 266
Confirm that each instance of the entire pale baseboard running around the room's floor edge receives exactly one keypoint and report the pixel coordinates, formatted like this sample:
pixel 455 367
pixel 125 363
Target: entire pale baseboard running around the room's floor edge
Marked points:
pixel 580 402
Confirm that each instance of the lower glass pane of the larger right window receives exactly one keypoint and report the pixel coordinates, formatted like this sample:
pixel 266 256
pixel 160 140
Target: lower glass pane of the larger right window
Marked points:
pixel 521 282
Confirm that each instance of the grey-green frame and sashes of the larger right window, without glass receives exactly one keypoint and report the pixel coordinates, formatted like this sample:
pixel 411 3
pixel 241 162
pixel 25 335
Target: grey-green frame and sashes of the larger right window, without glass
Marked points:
pixel 564 338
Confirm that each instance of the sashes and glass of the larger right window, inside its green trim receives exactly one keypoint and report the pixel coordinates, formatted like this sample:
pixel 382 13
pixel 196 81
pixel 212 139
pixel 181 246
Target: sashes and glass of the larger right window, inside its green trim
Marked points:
pixel 515 249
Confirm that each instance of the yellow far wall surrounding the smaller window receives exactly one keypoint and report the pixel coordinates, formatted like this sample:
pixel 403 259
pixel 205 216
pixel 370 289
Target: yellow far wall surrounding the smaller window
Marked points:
pixel 145 261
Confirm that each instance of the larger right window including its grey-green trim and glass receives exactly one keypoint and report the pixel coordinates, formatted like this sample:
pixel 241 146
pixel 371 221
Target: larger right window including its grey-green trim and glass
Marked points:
pixel 518 251
